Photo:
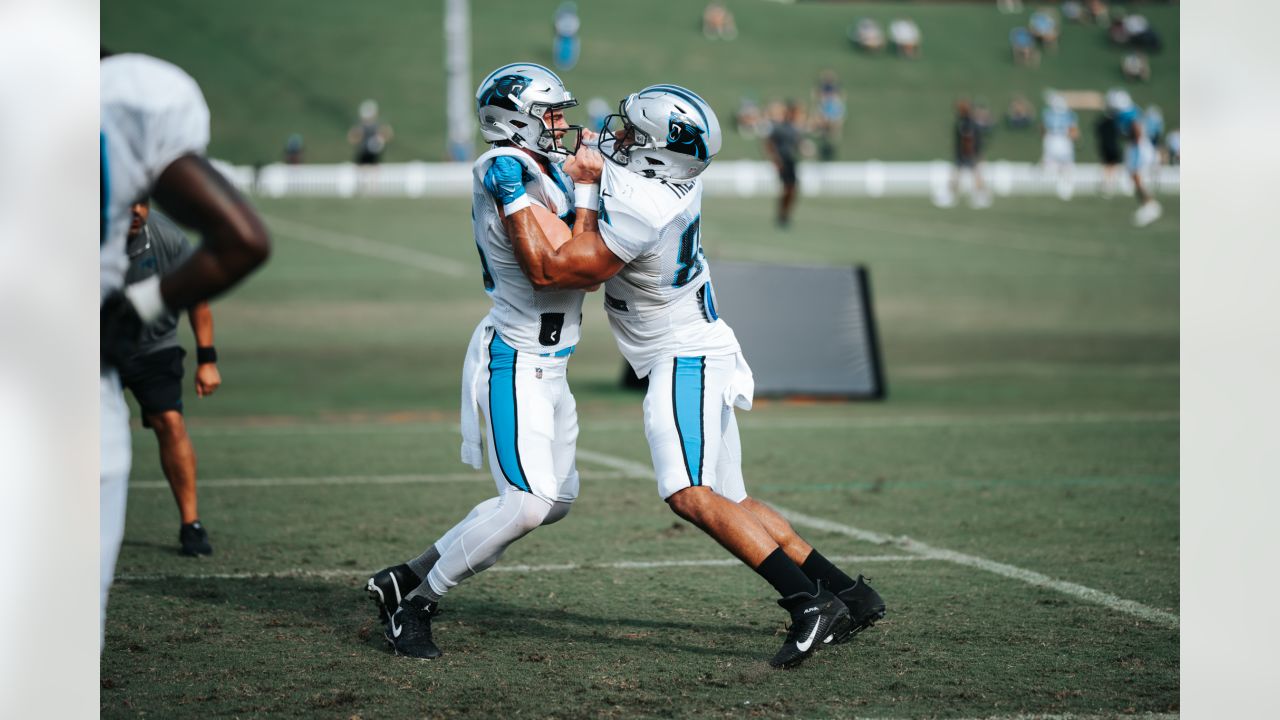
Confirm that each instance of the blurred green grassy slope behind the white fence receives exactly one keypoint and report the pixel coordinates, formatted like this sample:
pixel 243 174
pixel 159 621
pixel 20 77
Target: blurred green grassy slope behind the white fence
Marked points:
pixel 271 70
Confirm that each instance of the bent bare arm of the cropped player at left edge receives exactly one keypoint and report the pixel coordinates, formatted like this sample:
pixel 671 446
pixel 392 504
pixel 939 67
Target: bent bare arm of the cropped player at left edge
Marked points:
pixel 235 241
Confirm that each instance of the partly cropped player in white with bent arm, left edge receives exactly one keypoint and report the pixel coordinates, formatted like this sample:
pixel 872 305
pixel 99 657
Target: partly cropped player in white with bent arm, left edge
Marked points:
pixel 156 127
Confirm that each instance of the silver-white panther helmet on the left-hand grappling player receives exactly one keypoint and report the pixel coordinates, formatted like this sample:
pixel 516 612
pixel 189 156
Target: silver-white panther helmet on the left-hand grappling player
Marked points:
pixel 511 103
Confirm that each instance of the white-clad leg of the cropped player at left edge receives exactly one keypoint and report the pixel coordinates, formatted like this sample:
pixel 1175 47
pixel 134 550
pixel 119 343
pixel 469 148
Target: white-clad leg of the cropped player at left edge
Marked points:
pixel 115 457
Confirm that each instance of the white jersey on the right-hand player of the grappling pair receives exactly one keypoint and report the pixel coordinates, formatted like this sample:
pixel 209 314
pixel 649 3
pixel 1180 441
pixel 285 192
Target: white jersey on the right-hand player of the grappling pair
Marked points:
pixel 661 304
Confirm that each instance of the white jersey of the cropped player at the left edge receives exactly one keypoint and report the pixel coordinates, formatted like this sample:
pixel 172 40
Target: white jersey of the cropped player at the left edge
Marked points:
pixel 153 113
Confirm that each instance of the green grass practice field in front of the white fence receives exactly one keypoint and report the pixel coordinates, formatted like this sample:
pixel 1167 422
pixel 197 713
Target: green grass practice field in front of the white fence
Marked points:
pixel 1032 421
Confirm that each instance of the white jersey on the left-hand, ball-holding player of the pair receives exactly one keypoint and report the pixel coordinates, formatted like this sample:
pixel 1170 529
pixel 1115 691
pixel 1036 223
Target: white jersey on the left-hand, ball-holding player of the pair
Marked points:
pixel 542 322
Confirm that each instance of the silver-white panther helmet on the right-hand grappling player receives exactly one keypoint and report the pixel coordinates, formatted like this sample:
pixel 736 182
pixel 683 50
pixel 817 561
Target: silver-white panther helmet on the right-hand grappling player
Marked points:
pixel 664 131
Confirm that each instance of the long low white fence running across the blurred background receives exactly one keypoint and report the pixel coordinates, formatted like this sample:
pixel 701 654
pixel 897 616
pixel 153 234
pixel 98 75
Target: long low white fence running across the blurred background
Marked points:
pixel 733 179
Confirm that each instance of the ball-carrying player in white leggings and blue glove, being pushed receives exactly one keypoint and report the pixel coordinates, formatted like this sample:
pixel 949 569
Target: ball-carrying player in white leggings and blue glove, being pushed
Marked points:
pixel 516 363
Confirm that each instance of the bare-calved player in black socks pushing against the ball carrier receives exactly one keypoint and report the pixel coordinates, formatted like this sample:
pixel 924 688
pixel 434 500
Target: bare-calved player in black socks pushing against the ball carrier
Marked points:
pixel 646 245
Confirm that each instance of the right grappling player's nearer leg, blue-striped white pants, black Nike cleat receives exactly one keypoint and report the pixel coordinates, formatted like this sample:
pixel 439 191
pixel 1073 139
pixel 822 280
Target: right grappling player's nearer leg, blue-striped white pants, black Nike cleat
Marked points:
pixel 684 411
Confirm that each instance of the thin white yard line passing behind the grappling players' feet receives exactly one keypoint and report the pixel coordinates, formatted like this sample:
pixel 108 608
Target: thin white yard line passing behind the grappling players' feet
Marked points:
pixel 556 568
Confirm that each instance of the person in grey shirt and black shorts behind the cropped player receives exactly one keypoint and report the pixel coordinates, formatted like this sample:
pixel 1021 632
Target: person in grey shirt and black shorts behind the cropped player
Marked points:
pixel 153 372
